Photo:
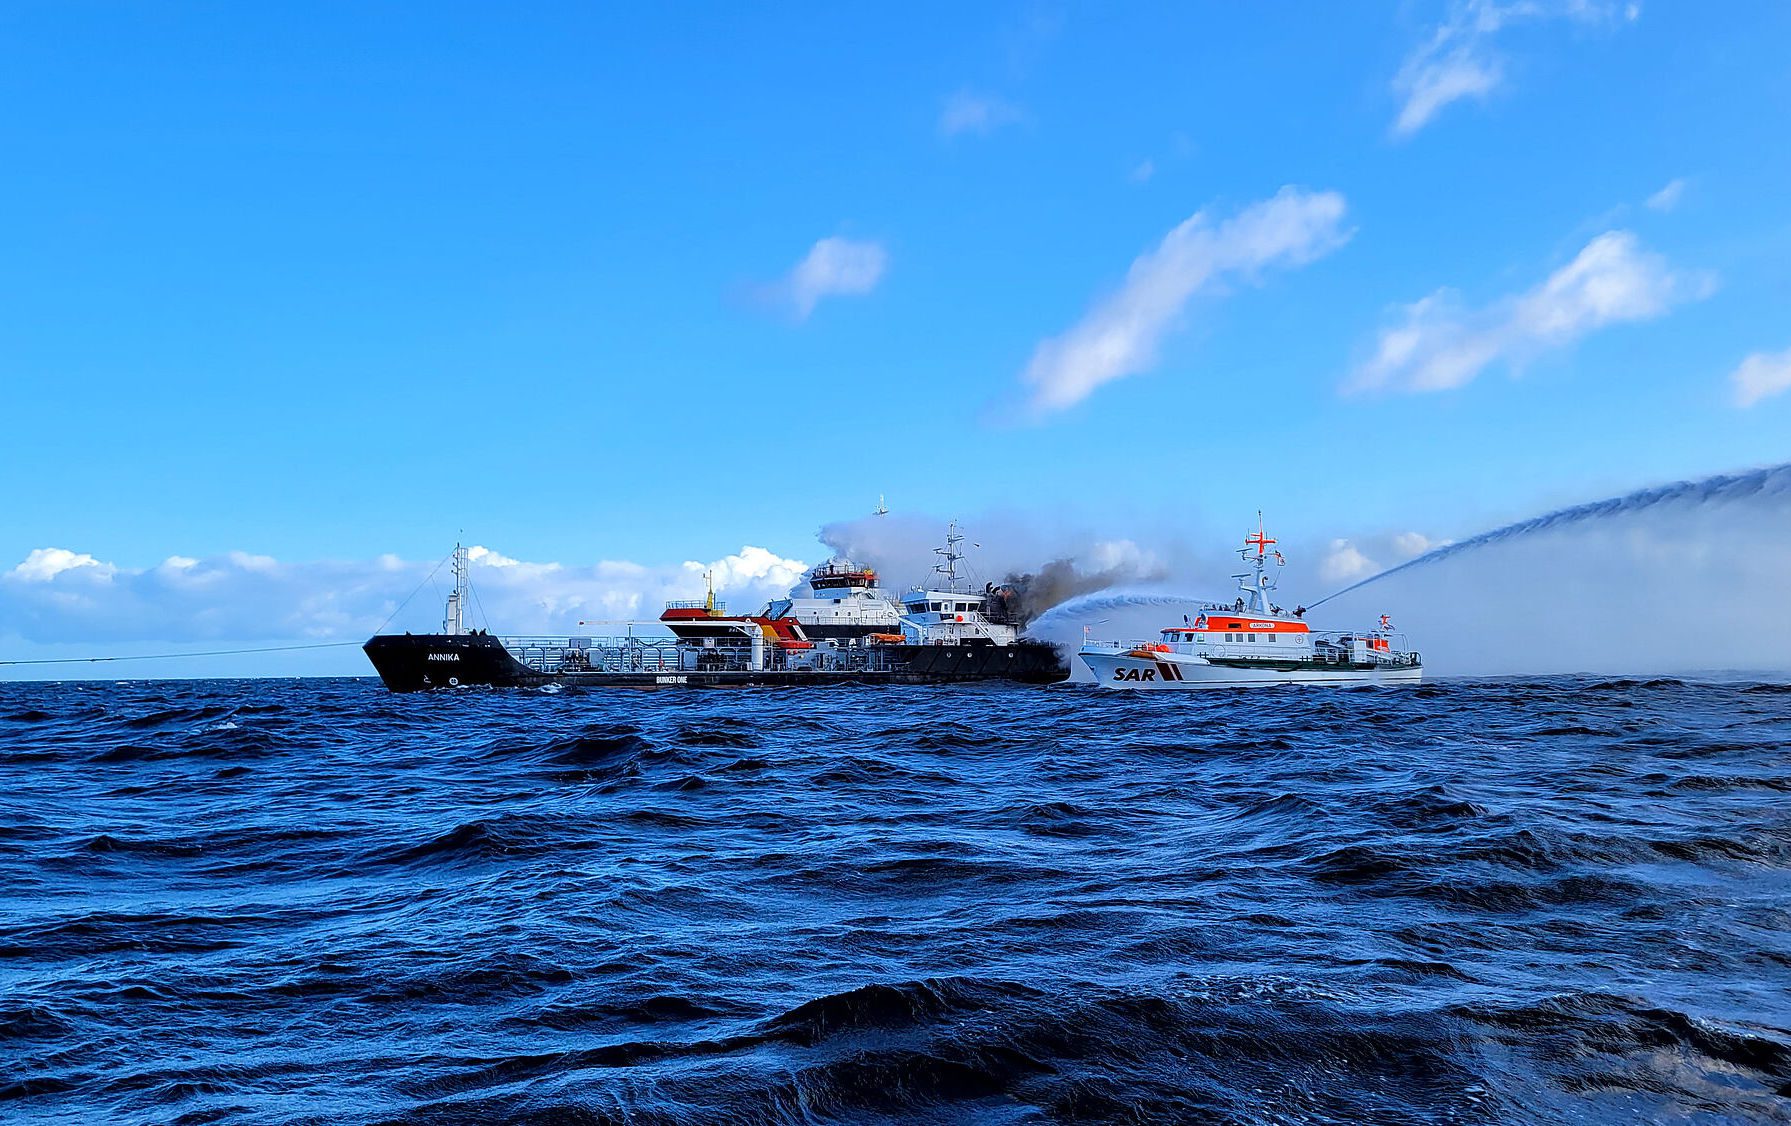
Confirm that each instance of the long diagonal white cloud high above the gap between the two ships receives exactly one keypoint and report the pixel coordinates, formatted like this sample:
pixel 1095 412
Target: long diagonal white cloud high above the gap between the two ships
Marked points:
pixel 1120 336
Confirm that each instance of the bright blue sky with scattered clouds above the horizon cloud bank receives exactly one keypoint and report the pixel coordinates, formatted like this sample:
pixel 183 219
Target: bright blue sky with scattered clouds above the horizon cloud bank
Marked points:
pixel 336 282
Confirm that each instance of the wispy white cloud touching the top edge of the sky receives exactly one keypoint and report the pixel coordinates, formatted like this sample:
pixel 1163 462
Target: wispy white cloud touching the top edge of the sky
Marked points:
pixel 1461 58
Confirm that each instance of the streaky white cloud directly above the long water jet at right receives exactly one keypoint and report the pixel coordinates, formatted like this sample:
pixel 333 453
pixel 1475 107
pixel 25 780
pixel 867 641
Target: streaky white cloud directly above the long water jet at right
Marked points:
pixel 1439 345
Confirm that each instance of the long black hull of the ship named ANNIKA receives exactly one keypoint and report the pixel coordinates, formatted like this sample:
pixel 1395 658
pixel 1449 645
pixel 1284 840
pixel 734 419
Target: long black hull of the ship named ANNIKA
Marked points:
pixel 427 661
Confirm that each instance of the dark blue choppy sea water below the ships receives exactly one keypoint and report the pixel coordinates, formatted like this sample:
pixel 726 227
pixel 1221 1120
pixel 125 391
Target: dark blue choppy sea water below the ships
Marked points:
pixel 1480 901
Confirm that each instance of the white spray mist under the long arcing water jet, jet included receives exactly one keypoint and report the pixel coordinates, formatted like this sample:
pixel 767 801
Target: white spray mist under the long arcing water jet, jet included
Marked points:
pixel 1683 579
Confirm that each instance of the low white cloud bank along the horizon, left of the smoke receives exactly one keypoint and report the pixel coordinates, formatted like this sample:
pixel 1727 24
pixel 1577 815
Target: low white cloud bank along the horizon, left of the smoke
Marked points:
pixel 58 597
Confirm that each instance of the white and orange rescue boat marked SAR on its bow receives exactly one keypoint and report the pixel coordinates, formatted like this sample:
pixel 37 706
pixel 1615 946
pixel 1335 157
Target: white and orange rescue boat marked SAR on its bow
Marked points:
pixel 1253 644
